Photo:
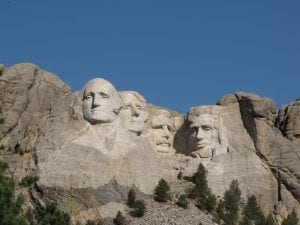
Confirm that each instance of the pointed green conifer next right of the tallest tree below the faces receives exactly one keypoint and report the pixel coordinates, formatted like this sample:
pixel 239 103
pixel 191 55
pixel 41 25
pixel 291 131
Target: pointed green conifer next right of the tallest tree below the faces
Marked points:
pixel 228 208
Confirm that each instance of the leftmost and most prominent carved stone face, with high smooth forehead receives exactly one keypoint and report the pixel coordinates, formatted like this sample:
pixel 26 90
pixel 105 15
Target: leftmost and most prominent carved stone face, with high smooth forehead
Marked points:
pixel 100 101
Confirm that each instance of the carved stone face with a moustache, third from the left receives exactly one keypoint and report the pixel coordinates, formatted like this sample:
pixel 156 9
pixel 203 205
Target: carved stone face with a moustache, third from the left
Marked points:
pixel 160 132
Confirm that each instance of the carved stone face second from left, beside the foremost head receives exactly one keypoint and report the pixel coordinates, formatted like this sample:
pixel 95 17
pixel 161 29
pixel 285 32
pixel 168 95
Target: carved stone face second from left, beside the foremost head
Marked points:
pixel 134 112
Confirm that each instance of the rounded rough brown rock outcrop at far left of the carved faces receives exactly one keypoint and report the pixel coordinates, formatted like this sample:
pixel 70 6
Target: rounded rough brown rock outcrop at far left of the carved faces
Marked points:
pixel 26 99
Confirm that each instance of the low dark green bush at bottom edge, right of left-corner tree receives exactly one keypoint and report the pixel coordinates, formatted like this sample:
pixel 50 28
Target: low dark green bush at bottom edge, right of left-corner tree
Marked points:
pixel 50 215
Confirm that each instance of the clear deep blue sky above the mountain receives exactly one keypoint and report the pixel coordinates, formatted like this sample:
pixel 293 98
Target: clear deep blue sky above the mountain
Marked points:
pixel 177 54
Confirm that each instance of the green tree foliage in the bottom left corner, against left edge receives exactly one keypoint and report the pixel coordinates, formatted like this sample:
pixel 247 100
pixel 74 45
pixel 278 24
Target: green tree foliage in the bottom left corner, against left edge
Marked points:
pixel 10 208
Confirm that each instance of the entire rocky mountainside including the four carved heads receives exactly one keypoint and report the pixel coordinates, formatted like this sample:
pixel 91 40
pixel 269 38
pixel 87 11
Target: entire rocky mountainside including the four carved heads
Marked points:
pixel 90 147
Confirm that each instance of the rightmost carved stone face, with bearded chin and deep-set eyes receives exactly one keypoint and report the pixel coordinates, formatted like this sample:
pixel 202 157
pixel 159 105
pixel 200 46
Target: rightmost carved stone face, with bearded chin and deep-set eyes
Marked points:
pixel 204 135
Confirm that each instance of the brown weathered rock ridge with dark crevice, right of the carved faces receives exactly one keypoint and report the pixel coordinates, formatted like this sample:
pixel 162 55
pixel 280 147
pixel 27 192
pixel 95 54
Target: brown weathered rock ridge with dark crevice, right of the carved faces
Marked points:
pixel 280 154
